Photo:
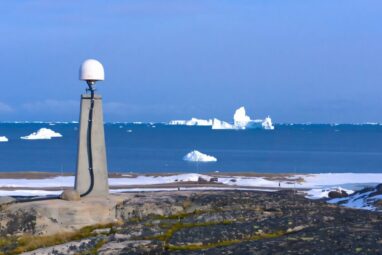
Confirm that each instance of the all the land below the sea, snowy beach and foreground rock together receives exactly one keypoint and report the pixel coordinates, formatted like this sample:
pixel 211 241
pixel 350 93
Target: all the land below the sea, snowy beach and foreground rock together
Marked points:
pixel 191 214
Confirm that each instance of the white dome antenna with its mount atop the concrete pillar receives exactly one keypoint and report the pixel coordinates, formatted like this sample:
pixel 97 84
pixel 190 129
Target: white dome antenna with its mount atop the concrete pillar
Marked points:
pixel 91 71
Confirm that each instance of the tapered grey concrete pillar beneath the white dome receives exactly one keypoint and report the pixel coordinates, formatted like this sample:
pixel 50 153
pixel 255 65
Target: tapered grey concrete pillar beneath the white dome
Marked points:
pixel 82 182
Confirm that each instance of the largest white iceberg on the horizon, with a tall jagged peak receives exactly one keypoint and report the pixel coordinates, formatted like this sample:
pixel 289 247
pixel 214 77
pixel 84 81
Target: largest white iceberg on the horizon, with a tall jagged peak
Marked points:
pixel 240 121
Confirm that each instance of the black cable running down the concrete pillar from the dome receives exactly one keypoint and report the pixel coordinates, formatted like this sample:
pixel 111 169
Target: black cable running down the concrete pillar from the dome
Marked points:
pixel 89 140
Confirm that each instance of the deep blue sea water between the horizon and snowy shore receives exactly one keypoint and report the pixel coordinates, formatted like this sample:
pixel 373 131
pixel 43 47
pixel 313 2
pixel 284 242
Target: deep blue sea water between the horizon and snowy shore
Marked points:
pixel 150 148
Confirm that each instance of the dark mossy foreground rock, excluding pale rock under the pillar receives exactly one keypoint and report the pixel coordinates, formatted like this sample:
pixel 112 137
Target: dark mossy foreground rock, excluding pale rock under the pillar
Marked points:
pixel 234 222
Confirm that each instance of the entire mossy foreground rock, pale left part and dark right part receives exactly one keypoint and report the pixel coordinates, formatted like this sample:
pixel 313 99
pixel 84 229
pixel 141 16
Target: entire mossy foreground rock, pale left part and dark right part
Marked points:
pixel 191 222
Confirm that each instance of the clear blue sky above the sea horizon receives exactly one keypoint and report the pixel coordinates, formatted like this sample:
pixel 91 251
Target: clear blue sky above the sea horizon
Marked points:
pixel 298 61
